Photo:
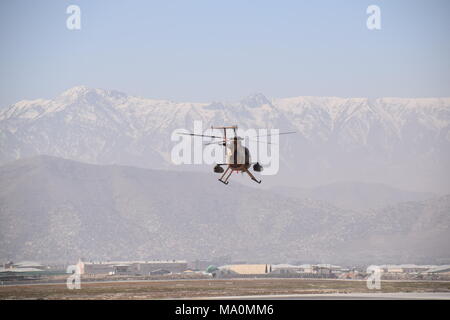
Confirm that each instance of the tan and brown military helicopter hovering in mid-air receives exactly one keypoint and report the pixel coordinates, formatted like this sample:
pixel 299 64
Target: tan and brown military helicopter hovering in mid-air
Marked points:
pixel 237 156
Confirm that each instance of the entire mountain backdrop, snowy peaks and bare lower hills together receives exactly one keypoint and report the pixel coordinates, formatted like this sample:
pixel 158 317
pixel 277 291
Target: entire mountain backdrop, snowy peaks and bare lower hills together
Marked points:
pixel 88 174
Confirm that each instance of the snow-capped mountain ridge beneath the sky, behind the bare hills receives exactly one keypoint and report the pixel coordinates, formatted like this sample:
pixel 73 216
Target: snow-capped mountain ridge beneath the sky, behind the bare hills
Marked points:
pixel 401 142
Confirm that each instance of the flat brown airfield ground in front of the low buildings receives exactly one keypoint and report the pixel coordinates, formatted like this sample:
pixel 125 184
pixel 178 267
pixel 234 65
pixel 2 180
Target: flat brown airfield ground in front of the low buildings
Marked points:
pixel 309 289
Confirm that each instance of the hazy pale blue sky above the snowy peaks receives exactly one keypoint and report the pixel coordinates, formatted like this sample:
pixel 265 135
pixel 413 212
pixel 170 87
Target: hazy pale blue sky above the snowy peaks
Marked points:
pixel 223 50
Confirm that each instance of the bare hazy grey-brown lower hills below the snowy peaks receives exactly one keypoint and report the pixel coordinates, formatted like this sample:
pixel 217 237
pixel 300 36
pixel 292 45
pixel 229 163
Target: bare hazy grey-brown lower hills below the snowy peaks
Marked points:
pixel 59 210
